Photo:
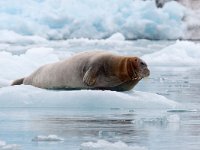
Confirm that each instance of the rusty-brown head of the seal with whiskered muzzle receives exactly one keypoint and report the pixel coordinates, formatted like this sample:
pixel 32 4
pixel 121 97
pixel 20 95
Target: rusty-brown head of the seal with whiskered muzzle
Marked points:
pixel 137 68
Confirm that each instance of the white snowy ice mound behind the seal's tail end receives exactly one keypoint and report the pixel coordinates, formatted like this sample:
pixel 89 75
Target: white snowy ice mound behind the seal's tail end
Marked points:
pixel 15 66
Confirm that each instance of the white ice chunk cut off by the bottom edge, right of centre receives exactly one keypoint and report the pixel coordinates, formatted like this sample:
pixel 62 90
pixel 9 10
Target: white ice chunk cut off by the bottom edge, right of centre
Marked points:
pixel 105 145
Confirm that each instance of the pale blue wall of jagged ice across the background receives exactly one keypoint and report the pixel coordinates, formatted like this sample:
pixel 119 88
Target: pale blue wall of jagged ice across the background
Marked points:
pixel 92 19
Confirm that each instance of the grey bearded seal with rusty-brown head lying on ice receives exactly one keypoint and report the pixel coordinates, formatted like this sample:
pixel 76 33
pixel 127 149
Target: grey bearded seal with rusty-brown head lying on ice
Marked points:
pixel 89 70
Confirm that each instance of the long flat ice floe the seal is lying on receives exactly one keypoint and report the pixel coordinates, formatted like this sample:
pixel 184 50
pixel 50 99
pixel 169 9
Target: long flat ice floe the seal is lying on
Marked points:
pixel 29 96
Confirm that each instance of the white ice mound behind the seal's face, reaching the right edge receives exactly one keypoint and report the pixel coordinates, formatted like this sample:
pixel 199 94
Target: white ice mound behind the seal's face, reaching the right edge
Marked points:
pixel 181 53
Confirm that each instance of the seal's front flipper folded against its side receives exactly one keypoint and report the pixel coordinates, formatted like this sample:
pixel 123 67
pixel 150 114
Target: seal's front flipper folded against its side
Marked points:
pixel 90 77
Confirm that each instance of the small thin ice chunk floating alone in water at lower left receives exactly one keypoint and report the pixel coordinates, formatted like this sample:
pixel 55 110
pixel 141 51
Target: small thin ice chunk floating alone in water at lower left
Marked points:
pixel 49 138
